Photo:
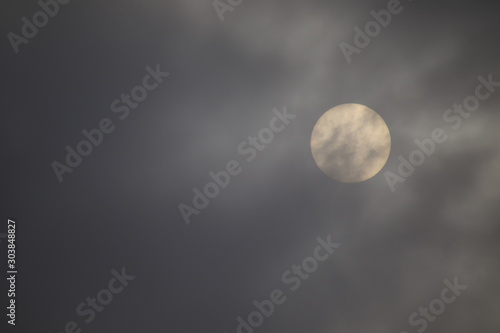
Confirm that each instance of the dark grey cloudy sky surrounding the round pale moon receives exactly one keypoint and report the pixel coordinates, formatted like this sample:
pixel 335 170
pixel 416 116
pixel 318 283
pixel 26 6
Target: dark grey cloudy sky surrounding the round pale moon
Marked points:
pixel 120 206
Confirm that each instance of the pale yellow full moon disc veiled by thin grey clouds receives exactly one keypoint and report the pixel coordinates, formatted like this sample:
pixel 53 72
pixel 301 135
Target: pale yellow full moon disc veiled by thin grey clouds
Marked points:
pixel 350 143
